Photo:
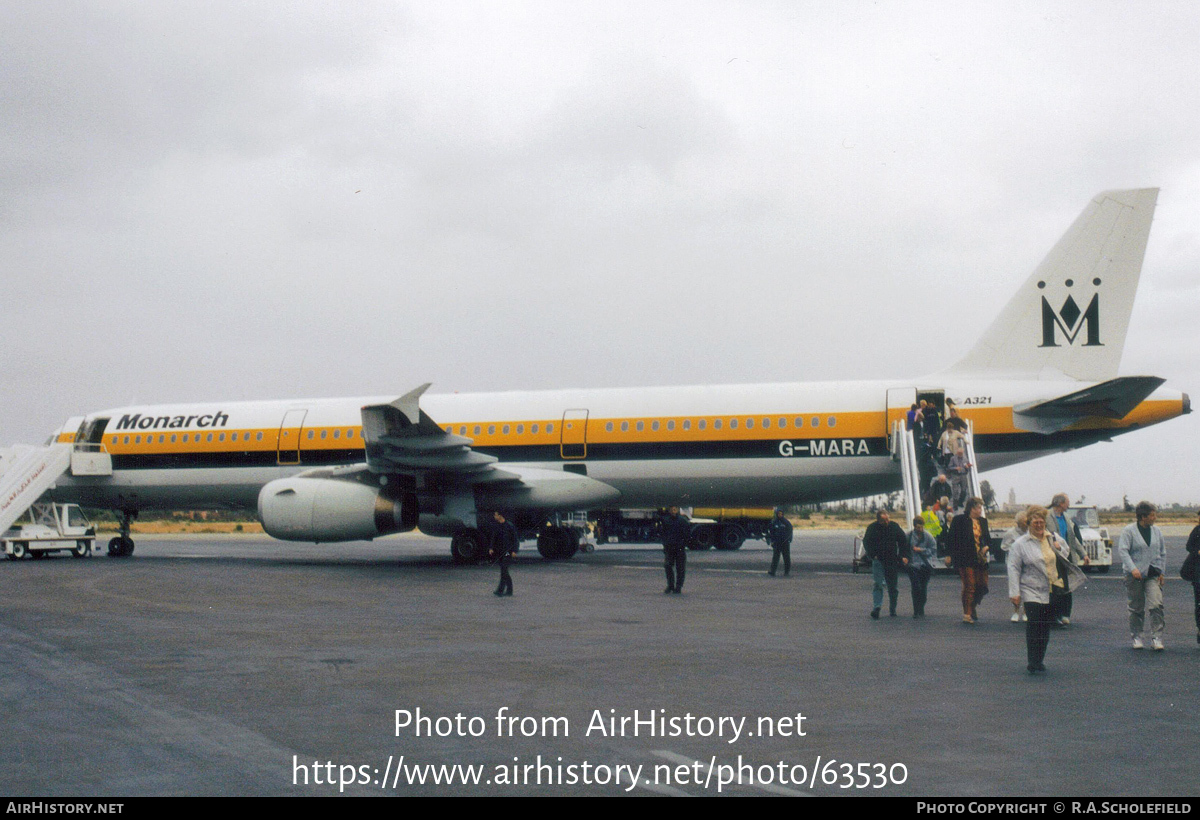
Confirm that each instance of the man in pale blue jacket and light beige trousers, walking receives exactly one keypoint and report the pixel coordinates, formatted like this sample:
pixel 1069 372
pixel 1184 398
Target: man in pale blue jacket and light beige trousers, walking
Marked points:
pixel 1144 560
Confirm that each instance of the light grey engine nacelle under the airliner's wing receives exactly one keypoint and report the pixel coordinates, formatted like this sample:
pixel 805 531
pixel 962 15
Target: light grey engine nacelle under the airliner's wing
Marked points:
pixel 321 510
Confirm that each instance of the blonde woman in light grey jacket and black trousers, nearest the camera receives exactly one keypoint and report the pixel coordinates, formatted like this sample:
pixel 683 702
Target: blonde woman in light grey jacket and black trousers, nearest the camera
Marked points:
pixel 1039 566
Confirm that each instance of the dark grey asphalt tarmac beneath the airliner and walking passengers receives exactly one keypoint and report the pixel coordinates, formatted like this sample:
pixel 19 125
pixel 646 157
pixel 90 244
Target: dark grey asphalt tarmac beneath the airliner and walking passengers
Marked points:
pixel 239 666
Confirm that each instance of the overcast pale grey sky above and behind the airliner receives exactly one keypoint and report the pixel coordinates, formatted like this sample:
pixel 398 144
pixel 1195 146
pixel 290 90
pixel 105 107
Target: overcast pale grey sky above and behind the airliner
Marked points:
pixel 219 201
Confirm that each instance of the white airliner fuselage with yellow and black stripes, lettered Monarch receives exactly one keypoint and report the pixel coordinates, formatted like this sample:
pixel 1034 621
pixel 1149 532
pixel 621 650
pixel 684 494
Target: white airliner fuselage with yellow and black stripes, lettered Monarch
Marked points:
pixel 755 445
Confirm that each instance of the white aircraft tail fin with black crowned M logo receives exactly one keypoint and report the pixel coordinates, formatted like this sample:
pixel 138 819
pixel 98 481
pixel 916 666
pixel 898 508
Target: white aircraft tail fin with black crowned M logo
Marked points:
pixel 1070 319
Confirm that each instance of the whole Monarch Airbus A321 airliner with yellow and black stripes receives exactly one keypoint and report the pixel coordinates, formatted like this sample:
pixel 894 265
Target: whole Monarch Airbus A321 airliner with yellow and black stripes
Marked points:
pixel 1043 379
